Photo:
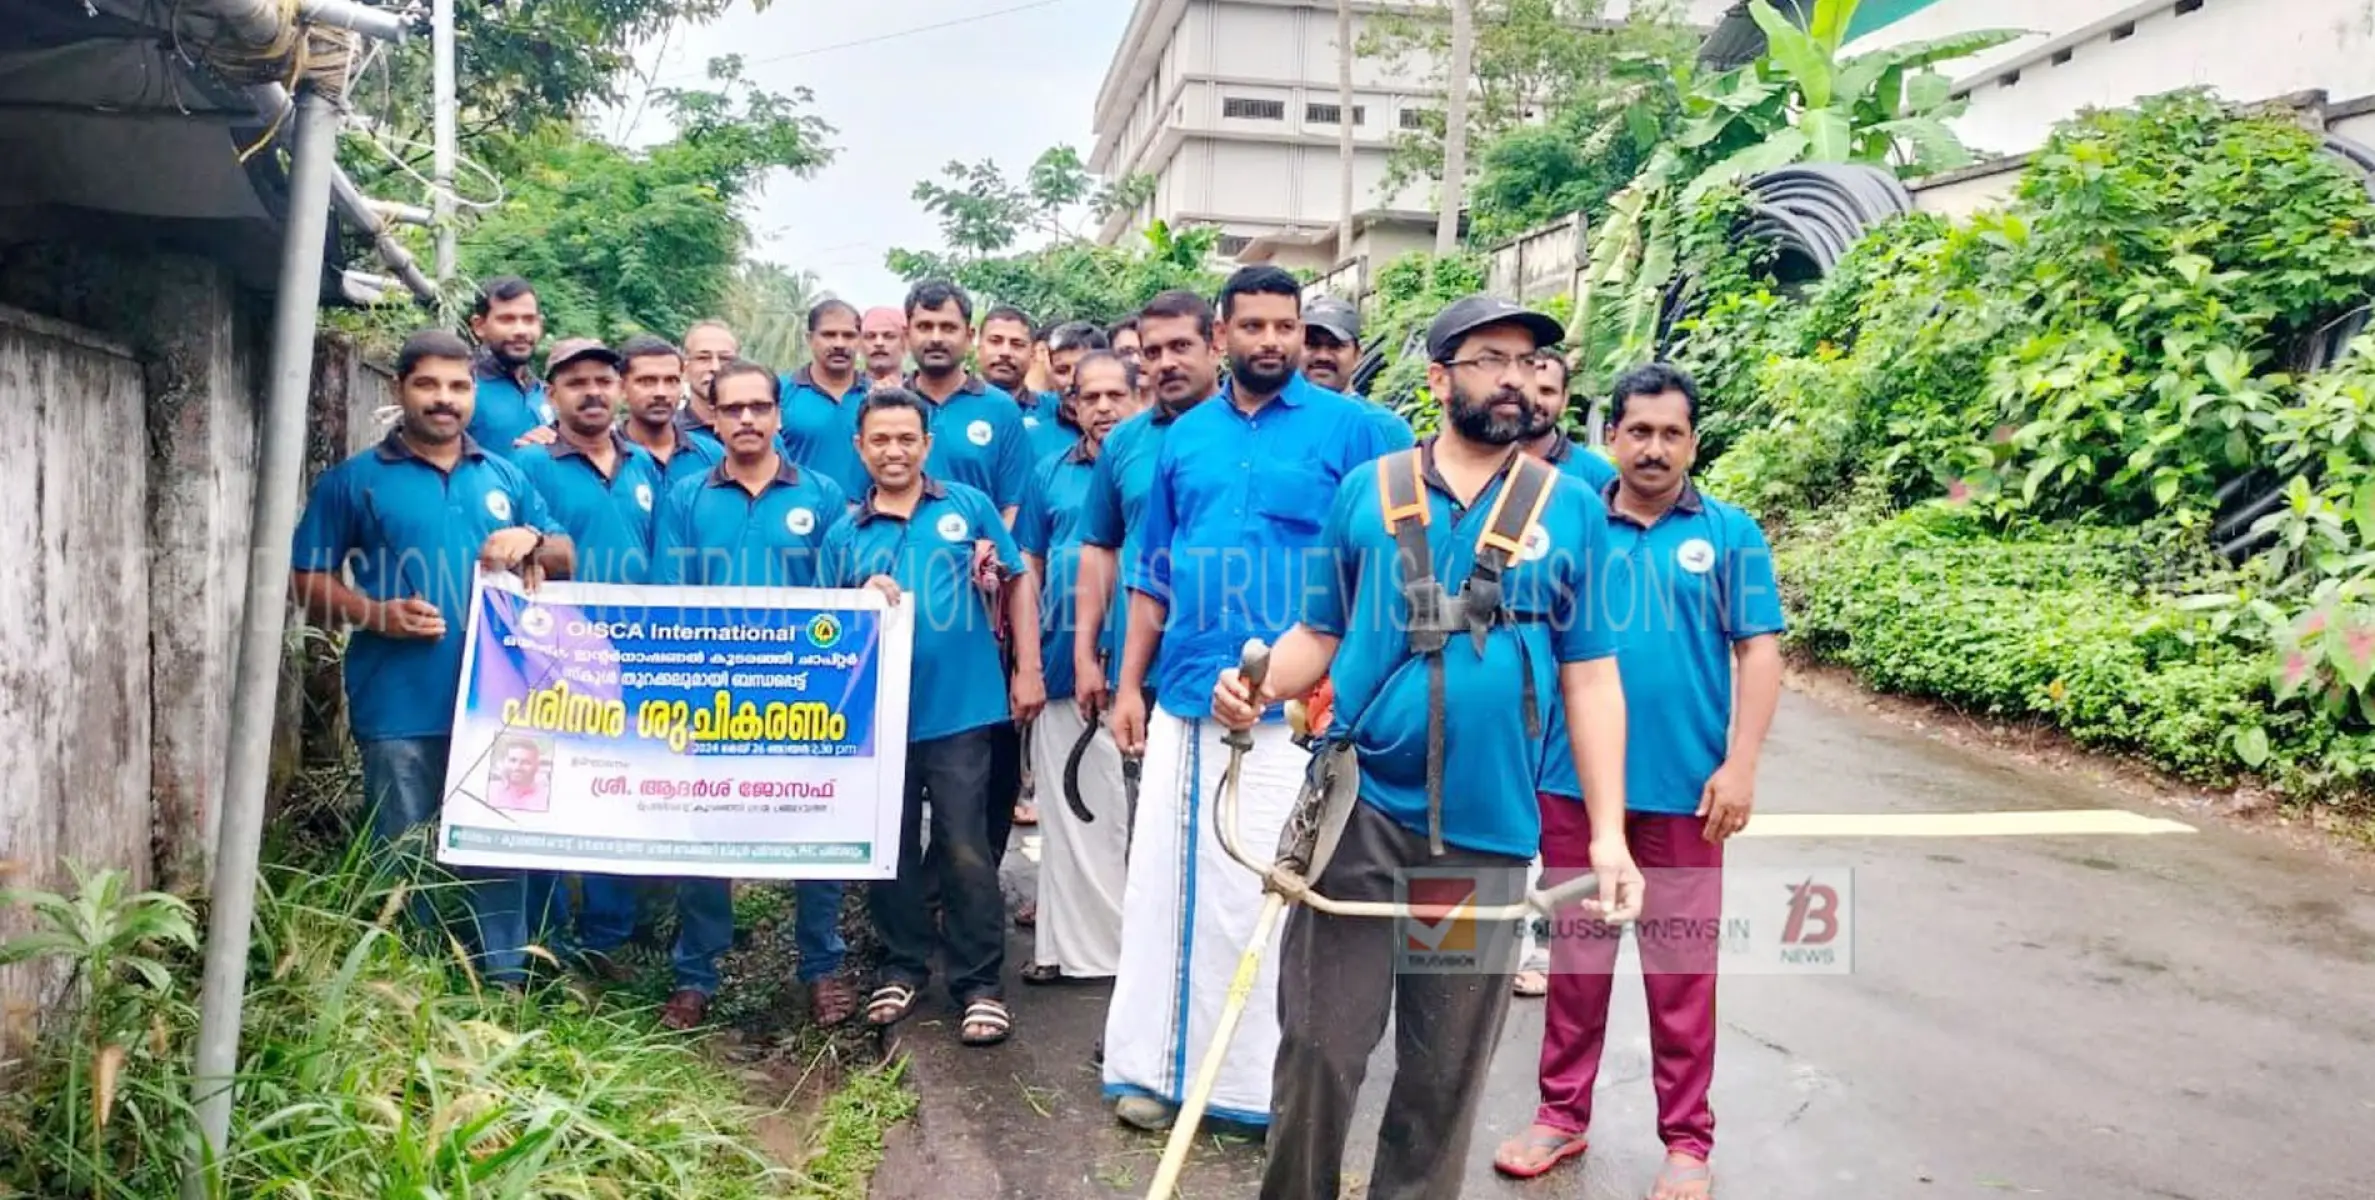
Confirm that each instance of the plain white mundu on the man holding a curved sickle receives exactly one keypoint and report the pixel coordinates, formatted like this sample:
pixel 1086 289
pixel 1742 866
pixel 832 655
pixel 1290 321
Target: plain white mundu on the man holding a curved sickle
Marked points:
pixel 1082 866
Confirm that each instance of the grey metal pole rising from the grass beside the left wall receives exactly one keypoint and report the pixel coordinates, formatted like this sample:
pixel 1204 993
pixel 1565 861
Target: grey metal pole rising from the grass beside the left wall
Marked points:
pixel 279 467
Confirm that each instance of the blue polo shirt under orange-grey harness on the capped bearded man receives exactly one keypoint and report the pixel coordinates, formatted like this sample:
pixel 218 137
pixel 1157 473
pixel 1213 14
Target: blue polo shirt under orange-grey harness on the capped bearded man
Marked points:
pixel 1381 690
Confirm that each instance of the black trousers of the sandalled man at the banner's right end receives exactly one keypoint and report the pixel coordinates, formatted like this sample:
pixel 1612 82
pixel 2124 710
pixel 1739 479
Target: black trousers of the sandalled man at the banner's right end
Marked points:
pixel 963 871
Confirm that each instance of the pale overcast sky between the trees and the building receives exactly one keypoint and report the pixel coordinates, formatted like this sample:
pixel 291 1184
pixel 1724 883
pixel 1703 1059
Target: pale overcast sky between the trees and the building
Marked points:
pixel 1006 87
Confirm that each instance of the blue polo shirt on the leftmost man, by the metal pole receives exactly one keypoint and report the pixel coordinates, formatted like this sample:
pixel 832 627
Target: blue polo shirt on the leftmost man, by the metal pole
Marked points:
pixel 410 529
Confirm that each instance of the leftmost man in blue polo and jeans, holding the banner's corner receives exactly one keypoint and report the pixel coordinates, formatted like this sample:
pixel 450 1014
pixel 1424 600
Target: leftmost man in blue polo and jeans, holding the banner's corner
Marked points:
pixel 410 519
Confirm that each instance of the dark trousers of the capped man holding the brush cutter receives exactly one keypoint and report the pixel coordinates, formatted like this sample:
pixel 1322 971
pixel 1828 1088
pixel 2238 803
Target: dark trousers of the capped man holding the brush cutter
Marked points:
pixel 1341 978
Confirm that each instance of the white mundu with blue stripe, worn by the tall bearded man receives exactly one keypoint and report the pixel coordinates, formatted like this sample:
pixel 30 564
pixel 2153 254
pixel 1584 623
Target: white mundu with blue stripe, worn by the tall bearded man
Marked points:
pixel 1189 914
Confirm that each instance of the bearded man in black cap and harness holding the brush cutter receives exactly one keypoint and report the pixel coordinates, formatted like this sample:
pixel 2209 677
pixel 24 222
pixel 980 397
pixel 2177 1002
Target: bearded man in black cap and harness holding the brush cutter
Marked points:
pixel 1421 702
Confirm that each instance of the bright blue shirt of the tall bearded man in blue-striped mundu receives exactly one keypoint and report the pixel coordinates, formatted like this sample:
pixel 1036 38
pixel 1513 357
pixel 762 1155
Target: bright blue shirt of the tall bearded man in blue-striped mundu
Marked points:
pixel 1234 522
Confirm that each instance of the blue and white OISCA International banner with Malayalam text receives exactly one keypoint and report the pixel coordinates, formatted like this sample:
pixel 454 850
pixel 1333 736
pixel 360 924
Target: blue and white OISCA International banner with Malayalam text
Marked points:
pixel 680 731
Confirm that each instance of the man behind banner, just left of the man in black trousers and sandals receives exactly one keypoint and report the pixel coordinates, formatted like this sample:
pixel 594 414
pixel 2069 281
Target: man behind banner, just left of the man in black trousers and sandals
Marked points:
pixel 754 522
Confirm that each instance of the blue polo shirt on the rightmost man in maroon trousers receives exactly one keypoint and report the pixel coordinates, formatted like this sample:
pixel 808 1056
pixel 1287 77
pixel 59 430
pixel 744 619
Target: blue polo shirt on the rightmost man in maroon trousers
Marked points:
pixel 1676 598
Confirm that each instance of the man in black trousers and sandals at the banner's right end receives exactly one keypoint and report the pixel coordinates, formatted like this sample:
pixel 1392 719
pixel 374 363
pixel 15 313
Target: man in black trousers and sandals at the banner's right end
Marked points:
pixel 913 538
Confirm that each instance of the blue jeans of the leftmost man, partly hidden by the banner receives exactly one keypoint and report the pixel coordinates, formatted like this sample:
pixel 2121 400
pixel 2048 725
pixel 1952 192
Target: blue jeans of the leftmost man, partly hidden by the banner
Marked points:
pixel 405 792
